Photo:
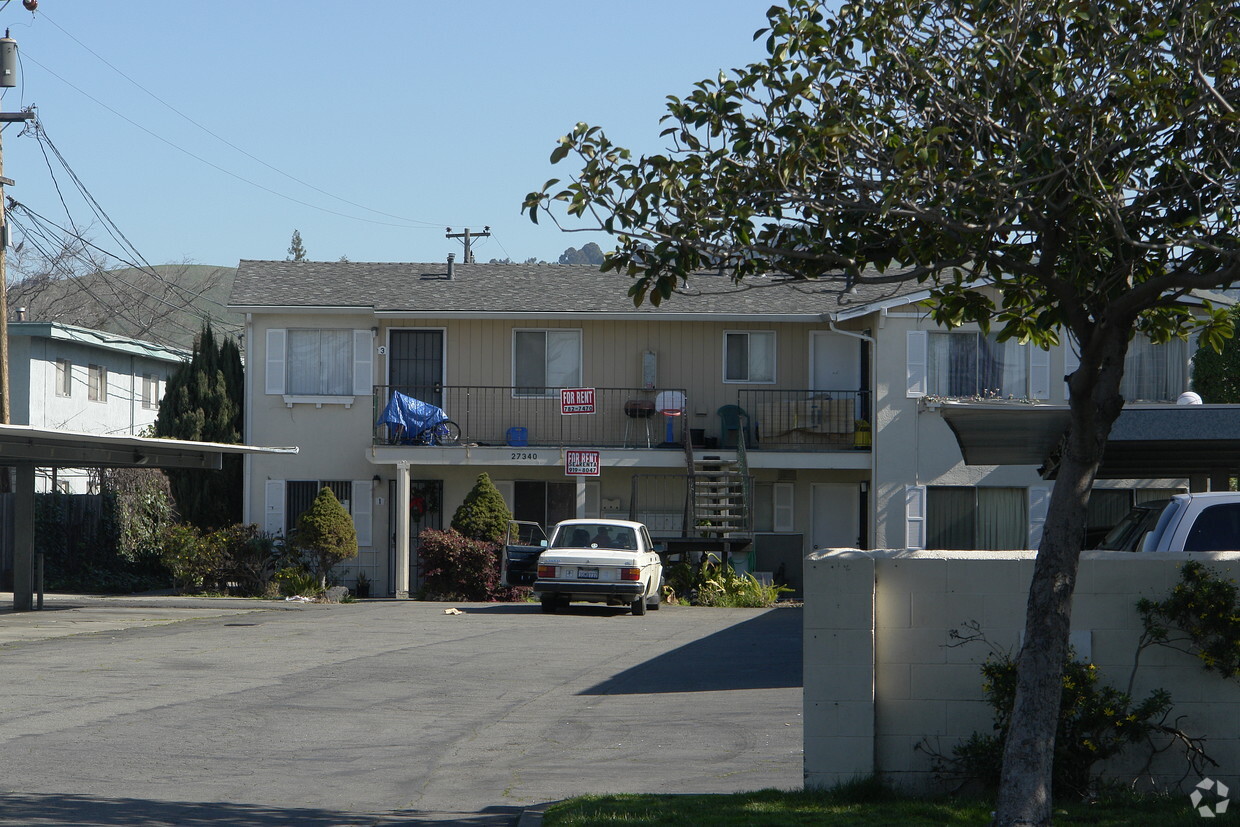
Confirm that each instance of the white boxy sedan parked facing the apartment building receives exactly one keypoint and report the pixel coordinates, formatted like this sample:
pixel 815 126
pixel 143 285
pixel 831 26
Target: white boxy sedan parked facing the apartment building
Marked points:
pixel 600 561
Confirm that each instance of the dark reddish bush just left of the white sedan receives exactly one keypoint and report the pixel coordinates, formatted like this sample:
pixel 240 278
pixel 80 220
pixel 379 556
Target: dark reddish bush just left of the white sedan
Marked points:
pixel 456 567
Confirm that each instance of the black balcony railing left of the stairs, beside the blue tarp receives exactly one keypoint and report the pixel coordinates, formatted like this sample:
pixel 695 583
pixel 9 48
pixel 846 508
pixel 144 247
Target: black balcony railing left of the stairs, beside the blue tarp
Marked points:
pixel 507 416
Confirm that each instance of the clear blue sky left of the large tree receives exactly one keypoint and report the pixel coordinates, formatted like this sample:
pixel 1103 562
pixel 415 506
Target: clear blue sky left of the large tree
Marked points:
pixel 440 113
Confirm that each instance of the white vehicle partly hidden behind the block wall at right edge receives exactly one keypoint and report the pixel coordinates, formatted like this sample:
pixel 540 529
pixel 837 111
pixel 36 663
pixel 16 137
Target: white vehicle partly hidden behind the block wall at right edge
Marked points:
pixel 1187 523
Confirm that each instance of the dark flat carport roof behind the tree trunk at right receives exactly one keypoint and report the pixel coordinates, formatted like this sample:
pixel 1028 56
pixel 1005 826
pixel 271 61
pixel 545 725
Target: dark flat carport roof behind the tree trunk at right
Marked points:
pixel 1201 443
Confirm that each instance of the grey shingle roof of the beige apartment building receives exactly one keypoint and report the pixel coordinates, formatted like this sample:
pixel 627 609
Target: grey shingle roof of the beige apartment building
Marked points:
pixel 531 290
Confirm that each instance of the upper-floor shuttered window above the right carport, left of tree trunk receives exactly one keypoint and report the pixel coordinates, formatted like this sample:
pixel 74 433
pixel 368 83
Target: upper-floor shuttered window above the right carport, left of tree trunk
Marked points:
pixel 973 365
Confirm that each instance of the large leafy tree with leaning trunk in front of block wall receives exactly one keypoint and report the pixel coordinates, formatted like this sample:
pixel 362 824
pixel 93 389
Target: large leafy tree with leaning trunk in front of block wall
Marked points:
pixel 1042 166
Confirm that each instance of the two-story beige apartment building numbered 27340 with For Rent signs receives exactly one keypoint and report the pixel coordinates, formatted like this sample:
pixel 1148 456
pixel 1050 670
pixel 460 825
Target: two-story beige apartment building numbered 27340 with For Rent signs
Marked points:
pixel 819 397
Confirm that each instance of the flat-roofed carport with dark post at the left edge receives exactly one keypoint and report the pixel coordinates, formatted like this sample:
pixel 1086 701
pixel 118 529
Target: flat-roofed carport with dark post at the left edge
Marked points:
pixel 27 448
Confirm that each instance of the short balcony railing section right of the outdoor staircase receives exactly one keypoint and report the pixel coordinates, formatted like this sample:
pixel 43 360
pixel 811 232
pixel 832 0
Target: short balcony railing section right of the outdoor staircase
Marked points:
pixel 805 421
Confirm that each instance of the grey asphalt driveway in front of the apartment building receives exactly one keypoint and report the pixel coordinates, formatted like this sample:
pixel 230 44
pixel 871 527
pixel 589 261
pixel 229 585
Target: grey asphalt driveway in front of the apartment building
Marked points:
pixel 166 711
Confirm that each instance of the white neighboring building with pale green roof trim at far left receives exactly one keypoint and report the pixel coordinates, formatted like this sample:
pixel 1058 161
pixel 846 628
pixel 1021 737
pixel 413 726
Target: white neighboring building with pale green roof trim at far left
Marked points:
pixel 80 380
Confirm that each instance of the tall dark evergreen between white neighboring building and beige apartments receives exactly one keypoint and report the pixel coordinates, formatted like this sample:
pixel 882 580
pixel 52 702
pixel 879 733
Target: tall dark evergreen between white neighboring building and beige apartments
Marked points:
pixel 204 402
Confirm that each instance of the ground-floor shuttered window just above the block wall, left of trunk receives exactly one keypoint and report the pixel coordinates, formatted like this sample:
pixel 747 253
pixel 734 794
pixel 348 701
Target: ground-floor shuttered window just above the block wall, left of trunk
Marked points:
pixel 964 518
